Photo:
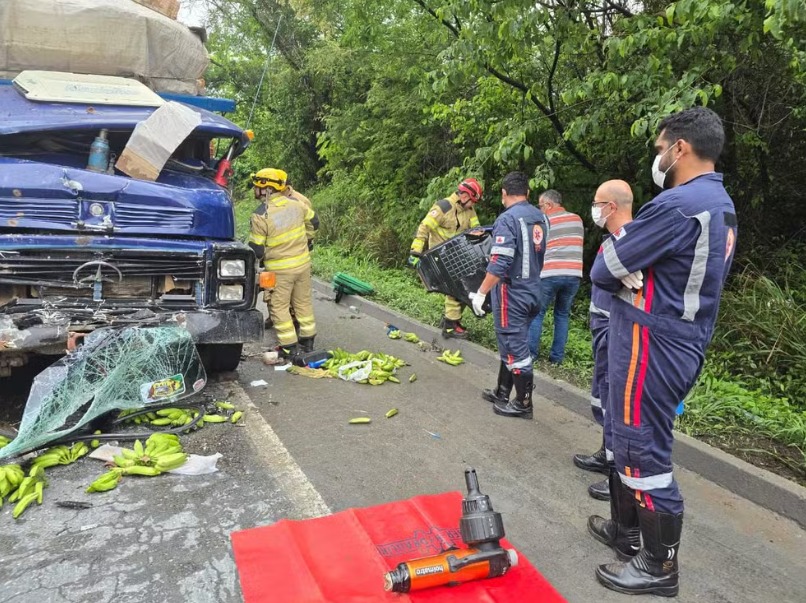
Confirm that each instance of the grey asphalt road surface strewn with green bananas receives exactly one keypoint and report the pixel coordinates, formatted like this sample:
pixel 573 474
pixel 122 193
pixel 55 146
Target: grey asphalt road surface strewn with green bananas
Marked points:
pixel 296 456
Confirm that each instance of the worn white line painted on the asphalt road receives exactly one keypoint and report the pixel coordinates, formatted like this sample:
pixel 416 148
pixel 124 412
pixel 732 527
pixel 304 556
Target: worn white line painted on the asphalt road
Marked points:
pixel 294 483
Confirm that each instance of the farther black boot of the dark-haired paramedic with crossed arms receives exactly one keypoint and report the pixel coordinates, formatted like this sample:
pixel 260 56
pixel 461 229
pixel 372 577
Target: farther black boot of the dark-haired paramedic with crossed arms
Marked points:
pixel 621 532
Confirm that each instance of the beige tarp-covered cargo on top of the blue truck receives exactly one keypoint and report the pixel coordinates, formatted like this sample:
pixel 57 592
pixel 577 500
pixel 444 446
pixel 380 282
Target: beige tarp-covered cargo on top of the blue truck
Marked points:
pixel 101 37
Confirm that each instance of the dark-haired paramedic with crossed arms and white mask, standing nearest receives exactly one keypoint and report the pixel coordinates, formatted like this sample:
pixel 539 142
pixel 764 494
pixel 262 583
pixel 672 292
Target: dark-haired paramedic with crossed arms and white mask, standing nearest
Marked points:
pixel 666 270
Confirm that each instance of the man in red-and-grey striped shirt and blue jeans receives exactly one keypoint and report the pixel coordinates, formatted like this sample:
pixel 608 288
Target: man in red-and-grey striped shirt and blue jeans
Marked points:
pixel 561 275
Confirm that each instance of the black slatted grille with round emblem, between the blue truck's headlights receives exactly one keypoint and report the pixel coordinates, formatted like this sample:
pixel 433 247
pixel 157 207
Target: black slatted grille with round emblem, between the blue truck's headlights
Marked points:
pixel 57 267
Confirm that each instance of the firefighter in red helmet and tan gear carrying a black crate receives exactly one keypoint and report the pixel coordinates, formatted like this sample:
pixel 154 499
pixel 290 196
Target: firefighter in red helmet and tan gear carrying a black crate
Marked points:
pixel 447 218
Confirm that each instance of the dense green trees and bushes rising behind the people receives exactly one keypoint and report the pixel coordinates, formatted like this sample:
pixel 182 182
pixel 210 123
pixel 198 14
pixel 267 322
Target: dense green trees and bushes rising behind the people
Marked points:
pixel 381 107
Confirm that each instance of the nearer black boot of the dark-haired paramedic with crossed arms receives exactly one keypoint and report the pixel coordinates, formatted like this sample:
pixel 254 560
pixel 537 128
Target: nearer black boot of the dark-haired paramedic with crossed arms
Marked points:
pixel 654 569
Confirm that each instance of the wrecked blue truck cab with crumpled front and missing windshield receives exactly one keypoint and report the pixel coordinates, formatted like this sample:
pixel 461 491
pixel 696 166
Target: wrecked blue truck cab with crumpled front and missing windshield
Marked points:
pixel 80 250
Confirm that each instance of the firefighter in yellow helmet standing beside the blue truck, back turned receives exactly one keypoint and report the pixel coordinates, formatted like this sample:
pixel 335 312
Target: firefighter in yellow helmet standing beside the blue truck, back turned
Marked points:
pixel 279 235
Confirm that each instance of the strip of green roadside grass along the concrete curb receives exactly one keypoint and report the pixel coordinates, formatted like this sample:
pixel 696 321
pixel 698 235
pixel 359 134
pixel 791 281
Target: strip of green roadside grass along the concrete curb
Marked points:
pixel 736 411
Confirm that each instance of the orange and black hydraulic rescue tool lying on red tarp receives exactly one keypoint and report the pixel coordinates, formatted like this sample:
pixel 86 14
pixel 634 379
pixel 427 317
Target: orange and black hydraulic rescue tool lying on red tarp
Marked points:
pixel 481 529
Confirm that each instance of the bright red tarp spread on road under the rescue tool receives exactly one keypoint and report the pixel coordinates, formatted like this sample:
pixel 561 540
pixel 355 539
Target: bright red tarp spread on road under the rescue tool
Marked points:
pixel 342 558
